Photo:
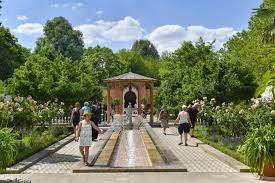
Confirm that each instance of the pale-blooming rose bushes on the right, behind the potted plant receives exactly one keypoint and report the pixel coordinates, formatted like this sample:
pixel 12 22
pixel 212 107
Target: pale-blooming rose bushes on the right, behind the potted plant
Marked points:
pixel 237 120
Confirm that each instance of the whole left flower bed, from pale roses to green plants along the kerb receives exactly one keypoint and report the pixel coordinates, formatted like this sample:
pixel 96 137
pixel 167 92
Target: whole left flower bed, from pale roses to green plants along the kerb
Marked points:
pixel 19 135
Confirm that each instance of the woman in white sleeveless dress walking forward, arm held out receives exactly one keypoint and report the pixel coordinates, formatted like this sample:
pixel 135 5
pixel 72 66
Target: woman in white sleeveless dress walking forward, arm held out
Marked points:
pixel 85 134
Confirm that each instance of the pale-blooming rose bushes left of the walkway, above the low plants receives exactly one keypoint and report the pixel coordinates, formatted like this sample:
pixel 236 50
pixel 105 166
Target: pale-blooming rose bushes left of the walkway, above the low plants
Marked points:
pixel 23 113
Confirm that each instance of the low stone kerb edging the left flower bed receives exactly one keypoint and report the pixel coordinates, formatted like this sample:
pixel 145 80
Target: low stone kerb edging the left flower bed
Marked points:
pixel 23 165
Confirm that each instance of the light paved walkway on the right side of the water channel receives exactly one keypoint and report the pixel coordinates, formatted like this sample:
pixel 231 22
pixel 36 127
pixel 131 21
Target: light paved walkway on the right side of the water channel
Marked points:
pixel 193 158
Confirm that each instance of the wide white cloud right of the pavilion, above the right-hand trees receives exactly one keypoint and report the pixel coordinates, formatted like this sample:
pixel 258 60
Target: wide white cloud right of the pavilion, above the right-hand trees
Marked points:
pixel 169 37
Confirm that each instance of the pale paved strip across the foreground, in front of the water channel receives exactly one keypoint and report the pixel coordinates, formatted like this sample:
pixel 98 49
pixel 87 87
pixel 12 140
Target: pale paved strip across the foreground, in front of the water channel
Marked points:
pixel 161 177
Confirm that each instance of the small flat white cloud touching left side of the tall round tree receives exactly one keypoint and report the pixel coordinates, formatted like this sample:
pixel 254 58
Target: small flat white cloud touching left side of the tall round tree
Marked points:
pixel 29 28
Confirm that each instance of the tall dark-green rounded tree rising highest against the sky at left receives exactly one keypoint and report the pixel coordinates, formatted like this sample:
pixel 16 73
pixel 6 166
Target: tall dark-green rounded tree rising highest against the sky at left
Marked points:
pixel 60 39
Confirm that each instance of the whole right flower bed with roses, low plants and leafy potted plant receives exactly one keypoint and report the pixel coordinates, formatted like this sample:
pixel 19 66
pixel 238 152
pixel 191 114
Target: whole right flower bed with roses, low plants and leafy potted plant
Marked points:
pixel 251 125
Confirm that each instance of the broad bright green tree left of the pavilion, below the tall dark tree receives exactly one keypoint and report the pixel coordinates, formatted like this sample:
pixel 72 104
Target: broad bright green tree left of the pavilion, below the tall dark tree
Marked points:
pixel 61 78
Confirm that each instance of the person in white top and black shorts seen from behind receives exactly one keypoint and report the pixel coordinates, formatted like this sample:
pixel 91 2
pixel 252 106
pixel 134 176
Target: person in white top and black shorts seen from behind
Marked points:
pixel 184 124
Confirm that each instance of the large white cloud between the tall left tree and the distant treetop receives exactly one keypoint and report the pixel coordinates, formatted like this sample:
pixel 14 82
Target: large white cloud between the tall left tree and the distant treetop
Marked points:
pixel 127 29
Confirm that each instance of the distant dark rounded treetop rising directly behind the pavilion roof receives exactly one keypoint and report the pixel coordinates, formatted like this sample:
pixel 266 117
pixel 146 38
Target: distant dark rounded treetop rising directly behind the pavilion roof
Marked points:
pixel 145 48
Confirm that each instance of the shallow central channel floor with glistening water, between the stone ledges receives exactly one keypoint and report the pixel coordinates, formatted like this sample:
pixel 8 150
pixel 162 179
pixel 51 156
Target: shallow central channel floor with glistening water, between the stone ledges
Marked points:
pixel 130 151
